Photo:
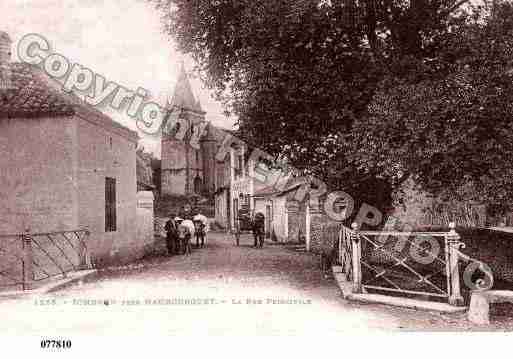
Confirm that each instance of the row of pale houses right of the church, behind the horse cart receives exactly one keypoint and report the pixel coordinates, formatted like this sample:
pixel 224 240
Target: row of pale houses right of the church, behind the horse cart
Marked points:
pixel 239 190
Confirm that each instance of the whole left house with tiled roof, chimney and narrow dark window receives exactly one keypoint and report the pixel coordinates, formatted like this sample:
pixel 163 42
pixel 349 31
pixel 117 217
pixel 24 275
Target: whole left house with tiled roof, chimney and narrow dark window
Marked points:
pixel 64 164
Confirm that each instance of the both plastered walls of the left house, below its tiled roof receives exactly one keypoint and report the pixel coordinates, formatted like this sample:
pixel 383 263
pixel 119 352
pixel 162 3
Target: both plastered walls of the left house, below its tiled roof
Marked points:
pixel 53 179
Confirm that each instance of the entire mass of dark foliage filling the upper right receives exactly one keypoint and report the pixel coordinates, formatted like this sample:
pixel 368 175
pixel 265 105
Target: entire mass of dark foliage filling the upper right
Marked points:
pixel 362 94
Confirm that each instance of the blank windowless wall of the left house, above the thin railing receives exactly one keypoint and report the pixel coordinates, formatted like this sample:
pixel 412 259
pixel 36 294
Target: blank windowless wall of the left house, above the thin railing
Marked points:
pixel 39 175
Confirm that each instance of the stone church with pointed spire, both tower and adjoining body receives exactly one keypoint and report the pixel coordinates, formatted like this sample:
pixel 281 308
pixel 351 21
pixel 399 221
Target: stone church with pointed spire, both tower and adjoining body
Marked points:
pixel 188 169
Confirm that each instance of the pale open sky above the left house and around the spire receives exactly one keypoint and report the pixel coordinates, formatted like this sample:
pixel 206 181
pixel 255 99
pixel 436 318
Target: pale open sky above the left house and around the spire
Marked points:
pixel 120 39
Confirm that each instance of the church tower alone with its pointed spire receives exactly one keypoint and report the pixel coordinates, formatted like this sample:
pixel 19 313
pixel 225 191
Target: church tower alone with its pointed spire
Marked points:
pixel 182 164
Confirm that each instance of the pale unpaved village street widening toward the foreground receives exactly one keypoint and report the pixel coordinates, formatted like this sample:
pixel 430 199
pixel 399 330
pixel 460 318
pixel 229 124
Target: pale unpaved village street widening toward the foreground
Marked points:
pixel 287 294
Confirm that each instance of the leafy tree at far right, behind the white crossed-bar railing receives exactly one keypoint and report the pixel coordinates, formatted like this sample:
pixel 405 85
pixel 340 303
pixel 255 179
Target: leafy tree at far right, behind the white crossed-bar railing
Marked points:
pixel 450 129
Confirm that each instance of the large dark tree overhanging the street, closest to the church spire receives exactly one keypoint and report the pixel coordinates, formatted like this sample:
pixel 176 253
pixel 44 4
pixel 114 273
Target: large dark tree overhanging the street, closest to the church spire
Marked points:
pixel 300 73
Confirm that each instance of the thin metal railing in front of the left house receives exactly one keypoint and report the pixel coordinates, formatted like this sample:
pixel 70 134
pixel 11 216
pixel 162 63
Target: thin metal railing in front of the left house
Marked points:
pixel 28 258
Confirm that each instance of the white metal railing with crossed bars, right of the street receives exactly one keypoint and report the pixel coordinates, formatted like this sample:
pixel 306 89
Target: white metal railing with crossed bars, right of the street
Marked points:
pixel 371 260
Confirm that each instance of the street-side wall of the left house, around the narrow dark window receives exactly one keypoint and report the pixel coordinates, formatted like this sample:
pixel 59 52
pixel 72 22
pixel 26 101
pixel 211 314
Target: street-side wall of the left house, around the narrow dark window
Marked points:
pixel 103 153
